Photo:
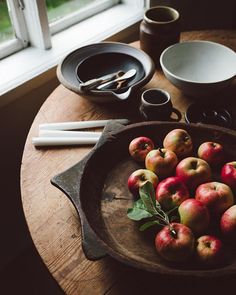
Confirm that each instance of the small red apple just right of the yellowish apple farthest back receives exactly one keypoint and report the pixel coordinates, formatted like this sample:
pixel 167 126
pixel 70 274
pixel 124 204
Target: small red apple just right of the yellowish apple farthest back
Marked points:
pixel 212 152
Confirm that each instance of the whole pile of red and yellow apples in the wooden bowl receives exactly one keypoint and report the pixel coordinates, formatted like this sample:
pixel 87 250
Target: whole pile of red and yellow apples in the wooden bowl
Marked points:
pixel 184 183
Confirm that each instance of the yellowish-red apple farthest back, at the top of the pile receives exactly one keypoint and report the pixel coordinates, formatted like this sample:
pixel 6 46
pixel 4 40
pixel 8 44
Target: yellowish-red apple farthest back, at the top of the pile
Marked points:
pixel 178 141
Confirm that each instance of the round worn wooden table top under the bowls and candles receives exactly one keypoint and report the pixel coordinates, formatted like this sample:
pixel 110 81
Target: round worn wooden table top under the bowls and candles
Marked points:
pixel 52 219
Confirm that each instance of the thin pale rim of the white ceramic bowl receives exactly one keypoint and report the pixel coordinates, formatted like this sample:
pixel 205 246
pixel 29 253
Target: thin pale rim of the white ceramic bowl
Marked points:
pixel 192 81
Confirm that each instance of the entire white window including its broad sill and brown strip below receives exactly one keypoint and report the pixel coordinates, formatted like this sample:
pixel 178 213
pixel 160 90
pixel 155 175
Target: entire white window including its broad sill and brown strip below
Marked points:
pixel 36 26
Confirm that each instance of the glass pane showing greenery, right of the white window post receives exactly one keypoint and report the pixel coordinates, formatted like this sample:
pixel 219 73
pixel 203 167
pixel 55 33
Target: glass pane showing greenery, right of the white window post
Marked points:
pixel 59 8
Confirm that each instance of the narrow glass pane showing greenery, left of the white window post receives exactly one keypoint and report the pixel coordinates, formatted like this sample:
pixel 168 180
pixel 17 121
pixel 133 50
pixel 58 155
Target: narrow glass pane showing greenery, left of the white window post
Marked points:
pixel 6 29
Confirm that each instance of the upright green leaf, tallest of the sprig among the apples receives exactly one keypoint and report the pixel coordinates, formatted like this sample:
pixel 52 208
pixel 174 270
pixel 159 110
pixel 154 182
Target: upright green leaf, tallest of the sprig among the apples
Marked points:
pixel 147 195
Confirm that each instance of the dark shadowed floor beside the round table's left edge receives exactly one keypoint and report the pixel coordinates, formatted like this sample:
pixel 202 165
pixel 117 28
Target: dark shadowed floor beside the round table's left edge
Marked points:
pixel 21 268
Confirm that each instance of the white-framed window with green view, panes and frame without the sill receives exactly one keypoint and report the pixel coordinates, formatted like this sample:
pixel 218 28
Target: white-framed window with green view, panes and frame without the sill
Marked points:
pixel 33 22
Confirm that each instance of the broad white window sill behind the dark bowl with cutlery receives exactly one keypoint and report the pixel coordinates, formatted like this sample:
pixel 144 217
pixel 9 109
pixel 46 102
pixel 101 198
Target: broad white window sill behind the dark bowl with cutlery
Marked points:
pixel 31 67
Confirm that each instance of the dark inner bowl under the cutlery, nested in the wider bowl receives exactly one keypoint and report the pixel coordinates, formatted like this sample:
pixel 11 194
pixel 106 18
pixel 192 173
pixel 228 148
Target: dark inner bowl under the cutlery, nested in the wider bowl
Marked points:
pixel 102 64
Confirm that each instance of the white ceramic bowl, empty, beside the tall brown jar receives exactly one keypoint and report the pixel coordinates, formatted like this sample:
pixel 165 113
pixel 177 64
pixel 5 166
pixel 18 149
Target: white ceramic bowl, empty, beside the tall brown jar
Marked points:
pixel 199 68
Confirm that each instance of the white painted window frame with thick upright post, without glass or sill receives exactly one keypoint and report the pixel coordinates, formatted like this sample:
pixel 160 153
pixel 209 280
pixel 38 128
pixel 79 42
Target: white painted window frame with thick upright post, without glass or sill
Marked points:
pixel 30 23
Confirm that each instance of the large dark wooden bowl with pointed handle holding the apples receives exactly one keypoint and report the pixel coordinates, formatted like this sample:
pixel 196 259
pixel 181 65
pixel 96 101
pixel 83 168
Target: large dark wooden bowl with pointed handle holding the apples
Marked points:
pixel 97 186
